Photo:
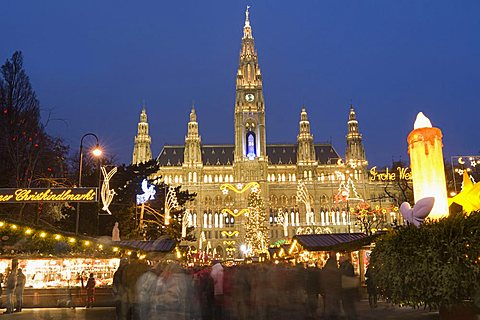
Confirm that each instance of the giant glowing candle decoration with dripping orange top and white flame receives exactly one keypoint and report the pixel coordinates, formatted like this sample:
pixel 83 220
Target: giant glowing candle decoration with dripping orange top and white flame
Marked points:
pixel 426 161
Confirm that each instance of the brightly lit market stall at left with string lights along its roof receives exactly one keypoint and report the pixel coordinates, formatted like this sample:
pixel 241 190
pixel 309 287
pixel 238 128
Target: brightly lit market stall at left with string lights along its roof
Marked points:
pixel 57 265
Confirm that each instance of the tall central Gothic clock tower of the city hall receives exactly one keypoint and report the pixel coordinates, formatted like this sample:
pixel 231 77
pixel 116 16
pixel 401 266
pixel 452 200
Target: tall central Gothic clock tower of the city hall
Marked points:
pixel 250 141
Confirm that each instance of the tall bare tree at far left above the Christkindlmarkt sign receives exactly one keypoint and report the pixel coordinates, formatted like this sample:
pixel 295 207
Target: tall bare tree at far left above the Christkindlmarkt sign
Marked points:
pixel 27 152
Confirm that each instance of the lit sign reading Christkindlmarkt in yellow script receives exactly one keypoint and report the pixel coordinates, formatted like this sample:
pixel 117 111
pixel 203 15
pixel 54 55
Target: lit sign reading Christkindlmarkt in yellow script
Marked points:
pixel 30 195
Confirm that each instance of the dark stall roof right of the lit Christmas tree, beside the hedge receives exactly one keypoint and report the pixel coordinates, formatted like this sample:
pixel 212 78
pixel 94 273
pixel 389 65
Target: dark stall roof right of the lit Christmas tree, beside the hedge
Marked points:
pixel 333 241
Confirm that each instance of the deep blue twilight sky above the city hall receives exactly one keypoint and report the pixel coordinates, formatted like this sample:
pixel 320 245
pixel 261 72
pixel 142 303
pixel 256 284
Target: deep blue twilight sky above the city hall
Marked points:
pixel 92 63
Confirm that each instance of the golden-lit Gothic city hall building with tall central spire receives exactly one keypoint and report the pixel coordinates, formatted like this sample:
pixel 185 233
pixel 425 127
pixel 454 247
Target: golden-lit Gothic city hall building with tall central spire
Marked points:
pixel 219 174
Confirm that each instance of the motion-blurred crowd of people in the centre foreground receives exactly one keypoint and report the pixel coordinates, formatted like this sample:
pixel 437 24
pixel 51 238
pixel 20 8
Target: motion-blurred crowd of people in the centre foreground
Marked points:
pixel 247 291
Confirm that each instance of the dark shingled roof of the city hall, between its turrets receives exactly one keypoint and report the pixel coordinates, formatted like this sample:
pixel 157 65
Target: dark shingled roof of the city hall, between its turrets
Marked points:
pixel 222 155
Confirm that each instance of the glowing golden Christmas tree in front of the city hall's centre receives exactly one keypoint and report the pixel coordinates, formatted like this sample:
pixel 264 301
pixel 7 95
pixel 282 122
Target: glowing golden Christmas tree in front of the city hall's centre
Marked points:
pixel 256 235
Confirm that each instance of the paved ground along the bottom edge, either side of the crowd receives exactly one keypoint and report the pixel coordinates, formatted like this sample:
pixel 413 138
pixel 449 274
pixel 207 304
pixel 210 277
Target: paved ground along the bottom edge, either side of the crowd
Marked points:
pixel 383 311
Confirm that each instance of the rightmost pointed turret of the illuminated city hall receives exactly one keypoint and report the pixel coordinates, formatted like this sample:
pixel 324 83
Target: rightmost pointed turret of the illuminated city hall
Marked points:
pixel 355 153
